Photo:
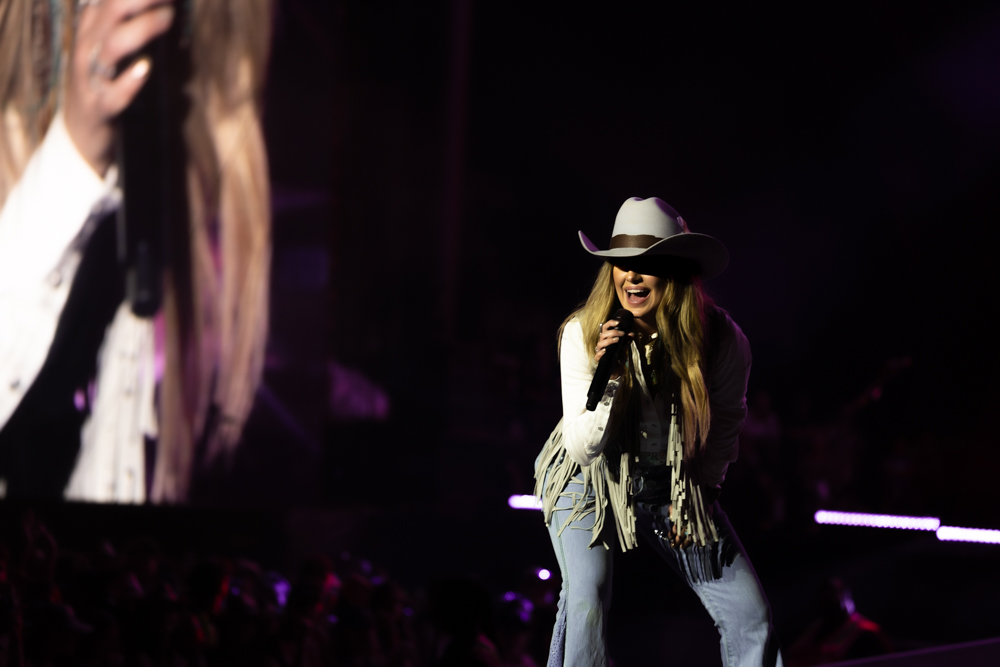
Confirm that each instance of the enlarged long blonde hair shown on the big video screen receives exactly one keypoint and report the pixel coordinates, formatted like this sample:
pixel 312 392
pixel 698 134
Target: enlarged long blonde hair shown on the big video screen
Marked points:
pixel 215 317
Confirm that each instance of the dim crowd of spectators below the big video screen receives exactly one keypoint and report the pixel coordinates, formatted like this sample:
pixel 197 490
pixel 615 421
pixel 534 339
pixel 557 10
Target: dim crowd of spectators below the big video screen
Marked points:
pixel 138 606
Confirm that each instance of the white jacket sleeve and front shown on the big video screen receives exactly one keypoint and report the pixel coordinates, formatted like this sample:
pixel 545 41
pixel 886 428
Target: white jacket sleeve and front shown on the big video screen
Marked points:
pixel 45 224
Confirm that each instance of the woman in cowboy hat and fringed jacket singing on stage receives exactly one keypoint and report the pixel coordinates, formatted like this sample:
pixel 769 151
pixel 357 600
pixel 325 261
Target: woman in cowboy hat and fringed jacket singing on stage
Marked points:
pixel 656 448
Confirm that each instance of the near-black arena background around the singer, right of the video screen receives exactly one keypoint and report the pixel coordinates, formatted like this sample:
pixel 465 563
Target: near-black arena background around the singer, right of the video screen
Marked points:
pixel 432 163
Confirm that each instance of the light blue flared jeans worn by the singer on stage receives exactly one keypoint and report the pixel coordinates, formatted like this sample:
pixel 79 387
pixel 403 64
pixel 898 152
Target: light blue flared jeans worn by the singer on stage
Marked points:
pixel 735 601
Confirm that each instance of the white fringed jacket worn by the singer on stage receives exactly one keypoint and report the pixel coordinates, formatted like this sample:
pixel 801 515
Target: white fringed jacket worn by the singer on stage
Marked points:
pixel 576 446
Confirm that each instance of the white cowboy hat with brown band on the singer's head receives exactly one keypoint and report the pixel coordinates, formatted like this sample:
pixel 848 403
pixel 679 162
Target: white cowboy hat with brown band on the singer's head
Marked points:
pixel 645 227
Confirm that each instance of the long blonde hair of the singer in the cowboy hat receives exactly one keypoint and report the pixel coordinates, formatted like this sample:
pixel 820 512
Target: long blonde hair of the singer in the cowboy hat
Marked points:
pixel 680 323
